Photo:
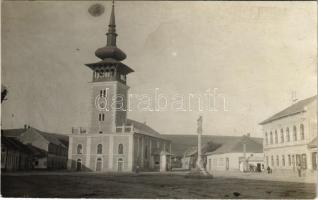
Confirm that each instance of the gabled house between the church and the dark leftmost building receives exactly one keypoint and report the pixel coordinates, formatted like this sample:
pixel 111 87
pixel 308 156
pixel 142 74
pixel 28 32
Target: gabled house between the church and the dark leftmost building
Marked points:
pixel 49 150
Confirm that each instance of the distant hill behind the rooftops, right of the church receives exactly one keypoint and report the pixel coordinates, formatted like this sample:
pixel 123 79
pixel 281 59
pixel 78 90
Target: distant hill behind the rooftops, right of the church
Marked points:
pixel 180 143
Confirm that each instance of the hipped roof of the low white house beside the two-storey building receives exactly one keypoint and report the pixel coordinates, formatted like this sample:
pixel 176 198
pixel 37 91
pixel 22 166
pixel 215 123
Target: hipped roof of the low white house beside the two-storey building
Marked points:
pixel 236 146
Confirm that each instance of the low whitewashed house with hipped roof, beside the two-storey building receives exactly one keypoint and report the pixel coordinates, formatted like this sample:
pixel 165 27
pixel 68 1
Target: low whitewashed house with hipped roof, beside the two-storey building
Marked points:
pixel 244 154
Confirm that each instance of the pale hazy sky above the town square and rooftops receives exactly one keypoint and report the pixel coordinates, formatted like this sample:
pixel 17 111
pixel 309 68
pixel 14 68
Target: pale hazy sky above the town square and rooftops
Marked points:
pixel 254 53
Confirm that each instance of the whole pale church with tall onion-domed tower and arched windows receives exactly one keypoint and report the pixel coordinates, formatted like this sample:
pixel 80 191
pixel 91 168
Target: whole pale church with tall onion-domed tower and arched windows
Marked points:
pixel 114 143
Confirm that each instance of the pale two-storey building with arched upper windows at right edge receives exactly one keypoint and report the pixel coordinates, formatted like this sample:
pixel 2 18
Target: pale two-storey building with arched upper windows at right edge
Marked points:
pixel 290 137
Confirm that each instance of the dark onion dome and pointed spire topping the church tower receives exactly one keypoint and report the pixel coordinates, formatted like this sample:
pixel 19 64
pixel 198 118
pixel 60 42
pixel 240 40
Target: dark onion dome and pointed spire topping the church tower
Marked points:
pixel 111 50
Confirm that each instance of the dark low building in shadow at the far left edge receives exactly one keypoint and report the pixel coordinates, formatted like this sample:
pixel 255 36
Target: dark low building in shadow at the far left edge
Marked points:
pixel 15 155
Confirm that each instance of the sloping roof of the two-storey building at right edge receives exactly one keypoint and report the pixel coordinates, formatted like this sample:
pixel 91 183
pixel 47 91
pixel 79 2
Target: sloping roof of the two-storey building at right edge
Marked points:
pixel 296 108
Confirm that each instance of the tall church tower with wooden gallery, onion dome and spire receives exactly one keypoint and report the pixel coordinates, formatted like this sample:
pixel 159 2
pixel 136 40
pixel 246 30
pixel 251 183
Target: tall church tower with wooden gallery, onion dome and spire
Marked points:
pixel 109 88
